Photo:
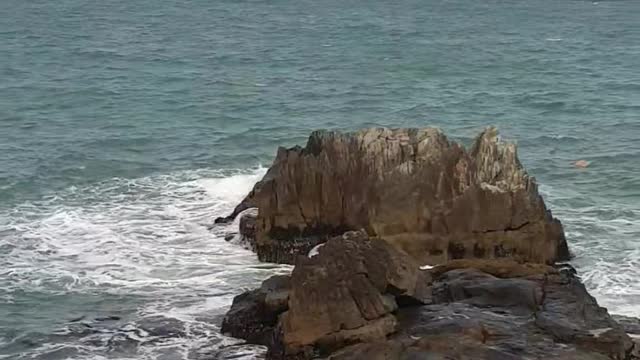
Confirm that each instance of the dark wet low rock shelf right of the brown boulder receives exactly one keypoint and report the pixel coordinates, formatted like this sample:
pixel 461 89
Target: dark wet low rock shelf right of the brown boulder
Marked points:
pixel 497 330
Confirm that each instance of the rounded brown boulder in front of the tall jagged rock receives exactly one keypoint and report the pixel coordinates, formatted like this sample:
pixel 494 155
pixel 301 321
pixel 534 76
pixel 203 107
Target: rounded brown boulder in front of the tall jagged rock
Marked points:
pixel 346 294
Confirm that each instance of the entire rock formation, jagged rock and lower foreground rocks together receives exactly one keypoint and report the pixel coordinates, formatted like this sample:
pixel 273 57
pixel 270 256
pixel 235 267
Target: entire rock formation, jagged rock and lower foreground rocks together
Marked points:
pixel 384 202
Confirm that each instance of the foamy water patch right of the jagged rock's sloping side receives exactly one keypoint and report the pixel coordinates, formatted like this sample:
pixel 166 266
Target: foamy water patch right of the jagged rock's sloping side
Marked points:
pixel 603 237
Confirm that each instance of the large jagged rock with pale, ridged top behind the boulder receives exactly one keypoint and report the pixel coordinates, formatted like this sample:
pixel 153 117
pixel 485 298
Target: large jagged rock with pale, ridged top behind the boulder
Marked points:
pixel 413 188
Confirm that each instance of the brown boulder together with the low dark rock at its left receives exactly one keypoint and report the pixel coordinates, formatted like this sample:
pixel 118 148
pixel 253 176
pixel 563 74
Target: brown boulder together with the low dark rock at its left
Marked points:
pixel 344 295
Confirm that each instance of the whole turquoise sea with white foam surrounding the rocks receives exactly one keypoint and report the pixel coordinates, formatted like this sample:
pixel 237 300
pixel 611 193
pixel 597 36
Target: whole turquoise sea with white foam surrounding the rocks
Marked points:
pixel 127 126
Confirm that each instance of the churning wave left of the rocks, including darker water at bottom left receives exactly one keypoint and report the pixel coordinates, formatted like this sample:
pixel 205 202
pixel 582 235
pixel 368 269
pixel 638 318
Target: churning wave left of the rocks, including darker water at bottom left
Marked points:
pixel 136 250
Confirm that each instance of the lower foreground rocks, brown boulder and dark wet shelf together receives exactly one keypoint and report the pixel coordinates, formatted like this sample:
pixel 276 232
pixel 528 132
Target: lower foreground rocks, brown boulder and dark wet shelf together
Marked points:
pixel 363 299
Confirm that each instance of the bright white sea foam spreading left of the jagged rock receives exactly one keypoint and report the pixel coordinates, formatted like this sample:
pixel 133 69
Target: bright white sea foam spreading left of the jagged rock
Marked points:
pixel 144 237
